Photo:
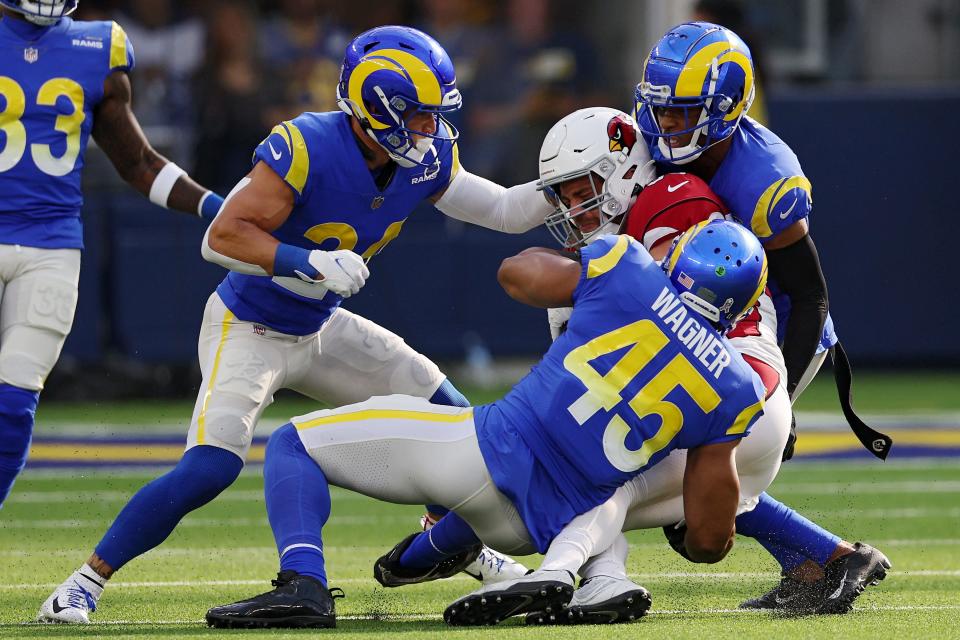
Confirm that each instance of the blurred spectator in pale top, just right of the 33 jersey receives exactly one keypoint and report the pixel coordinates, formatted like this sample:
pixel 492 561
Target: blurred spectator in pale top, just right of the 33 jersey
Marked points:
pixel 169 49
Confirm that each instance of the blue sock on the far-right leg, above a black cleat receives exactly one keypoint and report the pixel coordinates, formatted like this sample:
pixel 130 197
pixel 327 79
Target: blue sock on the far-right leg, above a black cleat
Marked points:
pixel 787 535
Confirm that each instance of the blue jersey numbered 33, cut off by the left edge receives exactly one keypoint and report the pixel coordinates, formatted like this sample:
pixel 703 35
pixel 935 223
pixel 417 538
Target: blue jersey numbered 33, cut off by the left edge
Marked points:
pixel 49 88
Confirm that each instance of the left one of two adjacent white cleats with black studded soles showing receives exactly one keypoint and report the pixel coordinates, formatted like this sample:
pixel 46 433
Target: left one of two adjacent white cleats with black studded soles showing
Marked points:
pixel 547 591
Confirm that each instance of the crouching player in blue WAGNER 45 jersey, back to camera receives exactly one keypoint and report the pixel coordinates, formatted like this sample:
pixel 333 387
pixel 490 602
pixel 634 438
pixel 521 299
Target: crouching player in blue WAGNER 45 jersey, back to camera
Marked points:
pixel 638 373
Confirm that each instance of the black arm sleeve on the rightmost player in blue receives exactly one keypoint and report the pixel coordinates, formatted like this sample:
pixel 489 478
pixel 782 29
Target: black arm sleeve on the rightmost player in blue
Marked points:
pixel 796 270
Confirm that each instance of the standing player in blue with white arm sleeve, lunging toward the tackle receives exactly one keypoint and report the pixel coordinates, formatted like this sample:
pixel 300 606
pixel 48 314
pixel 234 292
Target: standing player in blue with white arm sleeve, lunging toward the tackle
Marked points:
pixel 327 192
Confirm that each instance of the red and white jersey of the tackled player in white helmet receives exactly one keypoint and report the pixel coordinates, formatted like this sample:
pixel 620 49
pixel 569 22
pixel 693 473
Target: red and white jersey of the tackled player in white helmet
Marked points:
pixel 670 205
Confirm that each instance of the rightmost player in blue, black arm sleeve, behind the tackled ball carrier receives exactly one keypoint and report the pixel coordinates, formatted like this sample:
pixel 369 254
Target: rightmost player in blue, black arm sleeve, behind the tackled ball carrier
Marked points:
pixel 692 101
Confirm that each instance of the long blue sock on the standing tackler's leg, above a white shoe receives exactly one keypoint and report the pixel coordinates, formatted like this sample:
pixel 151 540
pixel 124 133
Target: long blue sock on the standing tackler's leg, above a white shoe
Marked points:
pixel 153 512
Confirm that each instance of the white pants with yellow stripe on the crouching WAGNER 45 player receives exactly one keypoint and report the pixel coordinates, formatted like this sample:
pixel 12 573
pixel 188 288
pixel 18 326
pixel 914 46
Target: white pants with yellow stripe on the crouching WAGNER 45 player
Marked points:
pixel 406 450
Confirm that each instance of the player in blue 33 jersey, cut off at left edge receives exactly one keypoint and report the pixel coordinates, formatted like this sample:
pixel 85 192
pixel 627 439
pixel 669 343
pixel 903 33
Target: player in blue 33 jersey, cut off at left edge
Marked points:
pixel 61 81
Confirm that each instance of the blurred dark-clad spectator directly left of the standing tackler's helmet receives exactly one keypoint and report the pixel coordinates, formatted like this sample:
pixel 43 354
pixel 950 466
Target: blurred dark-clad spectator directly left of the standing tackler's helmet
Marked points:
pixel 238 99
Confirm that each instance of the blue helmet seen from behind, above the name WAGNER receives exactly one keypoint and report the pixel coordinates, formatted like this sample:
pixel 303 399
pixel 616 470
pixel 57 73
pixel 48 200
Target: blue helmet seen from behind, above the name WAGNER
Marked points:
pixel 719 269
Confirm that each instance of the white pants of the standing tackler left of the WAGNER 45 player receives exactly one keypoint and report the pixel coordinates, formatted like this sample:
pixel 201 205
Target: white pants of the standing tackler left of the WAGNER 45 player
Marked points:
pixel 243 364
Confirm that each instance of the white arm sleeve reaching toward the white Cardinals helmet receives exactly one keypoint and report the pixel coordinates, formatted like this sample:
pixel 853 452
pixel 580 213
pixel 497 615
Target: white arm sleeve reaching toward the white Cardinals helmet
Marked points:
pixel 476 200
